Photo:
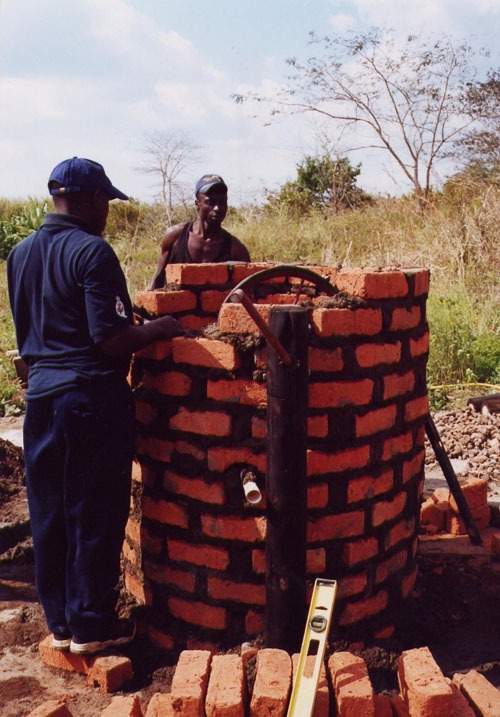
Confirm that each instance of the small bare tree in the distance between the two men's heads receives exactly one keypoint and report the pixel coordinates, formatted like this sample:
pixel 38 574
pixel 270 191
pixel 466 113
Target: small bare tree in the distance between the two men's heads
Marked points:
pixel 170 152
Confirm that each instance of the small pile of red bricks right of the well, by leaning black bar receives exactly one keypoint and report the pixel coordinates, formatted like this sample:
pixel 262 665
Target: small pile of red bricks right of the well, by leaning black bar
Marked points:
pixel 440 512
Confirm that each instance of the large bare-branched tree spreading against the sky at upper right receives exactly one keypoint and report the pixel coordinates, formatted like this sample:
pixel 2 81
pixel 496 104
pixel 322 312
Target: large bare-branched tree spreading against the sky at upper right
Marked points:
pixel 404 99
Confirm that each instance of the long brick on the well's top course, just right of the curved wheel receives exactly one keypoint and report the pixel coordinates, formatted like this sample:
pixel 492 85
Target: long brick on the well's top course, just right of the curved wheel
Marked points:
pixel 385 284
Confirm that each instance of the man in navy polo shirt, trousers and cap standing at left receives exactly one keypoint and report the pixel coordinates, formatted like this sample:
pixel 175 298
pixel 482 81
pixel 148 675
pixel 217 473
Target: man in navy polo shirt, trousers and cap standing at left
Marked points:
pixel 75 330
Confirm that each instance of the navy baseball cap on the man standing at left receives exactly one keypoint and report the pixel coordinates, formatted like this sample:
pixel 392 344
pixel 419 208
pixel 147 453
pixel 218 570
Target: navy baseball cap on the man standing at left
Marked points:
pixel 82 175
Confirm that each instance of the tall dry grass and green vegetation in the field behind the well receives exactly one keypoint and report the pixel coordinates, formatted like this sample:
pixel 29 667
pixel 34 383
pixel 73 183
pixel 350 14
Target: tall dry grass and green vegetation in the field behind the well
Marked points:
pixel 456 237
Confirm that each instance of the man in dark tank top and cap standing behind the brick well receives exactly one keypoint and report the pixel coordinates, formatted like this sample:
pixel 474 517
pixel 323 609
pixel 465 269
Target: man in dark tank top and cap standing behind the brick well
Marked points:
pixel 204 240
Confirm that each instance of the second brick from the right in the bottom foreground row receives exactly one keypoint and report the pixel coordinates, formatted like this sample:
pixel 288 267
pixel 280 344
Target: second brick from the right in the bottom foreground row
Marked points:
pixel 422 684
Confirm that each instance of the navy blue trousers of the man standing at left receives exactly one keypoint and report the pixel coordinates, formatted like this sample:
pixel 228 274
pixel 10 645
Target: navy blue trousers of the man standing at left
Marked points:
pixel 78 450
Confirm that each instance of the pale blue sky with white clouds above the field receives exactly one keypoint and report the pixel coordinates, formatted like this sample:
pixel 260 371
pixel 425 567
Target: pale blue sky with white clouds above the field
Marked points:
pixel 94 78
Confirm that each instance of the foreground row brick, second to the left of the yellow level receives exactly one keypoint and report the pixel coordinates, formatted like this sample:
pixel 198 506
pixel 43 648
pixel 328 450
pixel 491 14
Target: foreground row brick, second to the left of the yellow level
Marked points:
pixel 226 687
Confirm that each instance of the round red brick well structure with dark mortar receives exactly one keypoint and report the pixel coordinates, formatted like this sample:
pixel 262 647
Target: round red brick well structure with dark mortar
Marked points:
pixel 195 550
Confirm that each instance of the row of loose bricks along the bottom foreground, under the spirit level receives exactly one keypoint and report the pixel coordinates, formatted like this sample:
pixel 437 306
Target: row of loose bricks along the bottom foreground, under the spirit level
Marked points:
pixel 206 684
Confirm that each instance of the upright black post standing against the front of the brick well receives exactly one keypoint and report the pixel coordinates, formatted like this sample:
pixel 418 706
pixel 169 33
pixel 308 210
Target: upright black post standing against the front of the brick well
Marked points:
pixel 286 488
